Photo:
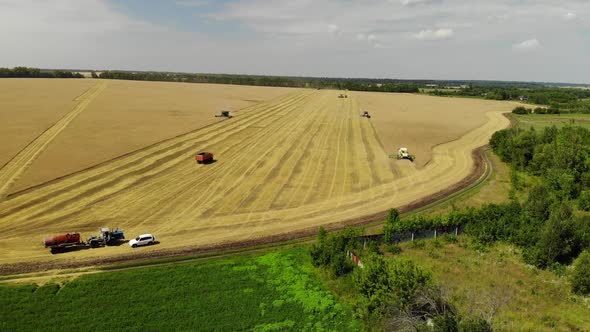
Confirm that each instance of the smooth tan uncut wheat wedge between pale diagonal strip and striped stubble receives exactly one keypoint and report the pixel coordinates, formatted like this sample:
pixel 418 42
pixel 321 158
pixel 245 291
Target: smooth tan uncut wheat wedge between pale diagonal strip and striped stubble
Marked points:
pixel 130 115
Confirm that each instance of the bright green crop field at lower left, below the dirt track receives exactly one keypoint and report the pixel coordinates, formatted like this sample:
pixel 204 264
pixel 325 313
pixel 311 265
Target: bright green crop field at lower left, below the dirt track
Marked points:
pixel 274 291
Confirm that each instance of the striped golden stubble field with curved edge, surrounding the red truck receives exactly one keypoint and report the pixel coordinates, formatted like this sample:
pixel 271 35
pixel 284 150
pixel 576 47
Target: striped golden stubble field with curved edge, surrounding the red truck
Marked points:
pixel 287 165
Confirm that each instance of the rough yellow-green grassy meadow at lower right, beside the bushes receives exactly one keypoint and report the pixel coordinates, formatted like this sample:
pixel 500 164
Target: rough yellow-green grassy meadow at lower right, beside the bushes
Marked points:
pixel 524 298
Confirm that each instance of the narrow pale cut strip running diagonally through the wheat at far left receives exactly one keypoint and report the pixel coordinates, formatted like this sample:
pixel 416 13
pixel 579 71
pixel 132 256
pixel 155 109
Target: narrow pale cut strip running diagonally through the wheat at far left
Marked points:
pixel 12 171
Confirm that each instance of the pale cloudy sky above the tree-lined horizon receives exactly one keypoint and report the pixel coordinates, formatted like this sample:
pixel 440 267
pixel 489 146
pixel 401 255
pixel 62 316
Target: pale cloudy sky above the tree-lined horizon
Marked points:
pixel 520 40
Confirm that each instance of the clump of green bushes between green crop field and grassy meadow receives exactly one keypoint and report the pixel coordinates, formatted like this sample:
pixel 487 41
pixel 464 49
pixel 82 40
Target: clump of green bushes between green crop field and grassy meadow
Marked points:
pixel 388 293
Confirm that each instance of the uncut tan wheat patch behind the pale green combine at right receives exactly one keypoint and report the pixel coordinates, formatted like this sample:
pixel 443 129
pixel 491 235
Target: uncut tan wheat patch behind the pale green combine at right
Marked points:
pixel 421 122
